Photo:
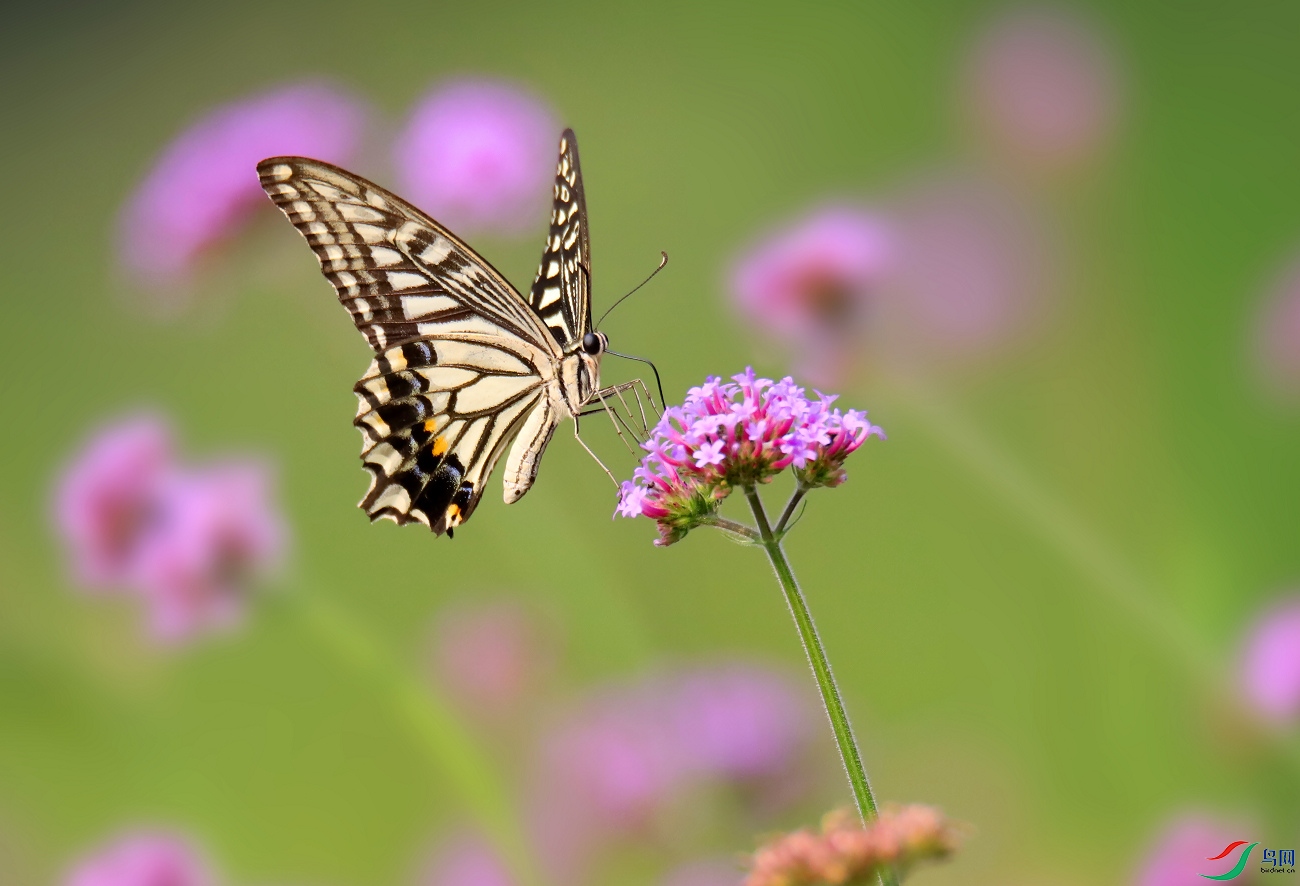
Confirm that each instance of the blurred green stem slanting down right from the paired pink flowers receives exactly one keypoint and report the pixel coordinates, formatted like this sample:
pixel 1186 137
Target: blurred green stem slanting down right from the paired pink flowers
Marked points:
pixel 454 752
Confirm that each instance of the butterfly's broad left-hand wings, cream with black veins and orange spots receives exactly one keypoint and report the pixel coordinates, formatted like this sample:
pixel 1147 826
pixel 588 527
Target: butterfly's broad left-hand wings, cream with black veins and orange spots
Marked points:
pixel 462 363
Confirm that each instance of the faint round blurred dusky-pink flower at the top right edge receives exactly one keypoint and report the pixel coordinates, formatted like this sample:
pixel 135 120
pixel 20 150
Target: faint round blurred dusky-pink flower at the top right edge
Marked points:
pixel 1042 85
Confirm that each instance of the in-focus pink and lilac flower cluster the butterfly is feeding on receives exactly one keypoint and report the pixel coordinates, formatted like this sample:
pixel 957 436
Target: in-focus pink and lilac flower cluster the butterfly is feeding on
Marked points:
pixel 738 433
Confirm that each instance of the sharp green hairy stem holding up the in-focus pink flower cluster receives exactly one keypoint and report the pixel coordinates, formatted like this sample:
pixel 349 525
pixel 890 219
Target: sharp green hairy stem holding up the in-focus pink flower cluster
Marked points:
pixel 850 753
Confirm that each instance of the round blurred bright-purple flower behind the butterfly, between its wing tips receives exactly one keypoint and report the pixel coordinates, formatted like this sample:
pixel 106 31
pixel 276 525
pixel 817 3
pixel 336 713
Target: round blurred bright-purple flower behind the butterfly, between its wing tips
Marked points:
pixel 479 155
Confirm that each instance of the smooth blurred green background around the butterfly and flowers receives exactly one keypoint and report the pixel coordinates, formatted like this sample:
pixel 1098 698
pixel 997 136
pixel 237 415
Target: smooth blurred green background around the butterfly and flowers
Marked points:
pixel 1033 594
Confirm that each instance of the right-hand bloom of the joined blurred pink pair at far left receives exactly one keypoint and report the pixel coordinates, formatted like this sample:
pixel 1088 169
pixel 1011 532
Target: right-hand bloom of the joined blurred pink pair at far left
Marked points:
pixel 216 535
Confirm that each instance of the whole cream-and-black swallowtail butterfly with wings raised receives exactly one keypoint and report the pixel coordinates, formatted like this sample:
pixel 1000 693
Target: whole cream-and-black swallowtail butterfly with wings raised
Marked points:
pixel 465 367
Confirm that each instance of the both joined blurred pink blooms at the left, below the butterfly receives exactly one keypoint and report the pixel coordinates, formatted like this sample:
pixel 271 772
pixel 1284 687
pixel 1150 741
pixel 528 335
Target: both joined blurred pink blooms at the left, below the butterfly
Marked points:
pixel 189 542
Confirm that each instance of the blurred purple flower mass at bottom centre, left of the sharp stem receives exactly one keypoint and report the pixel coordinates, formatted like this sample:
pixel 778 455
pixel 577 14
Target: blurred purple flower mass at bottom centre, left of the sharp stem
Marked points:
pixel 614 767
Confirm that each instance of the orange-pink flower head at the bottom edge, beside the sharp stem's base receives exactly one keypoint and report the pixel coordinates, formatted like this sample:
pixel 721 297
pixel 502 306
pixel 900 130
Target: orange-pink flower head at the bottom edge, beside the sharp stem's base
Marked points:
pixel 848 853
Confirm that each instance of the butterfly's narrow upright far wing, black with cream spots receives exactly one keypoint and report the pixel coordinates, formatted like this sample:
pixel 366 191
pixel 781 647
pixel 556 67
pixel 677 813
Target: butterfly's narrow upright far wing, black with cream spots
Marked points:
pixel 561 292
